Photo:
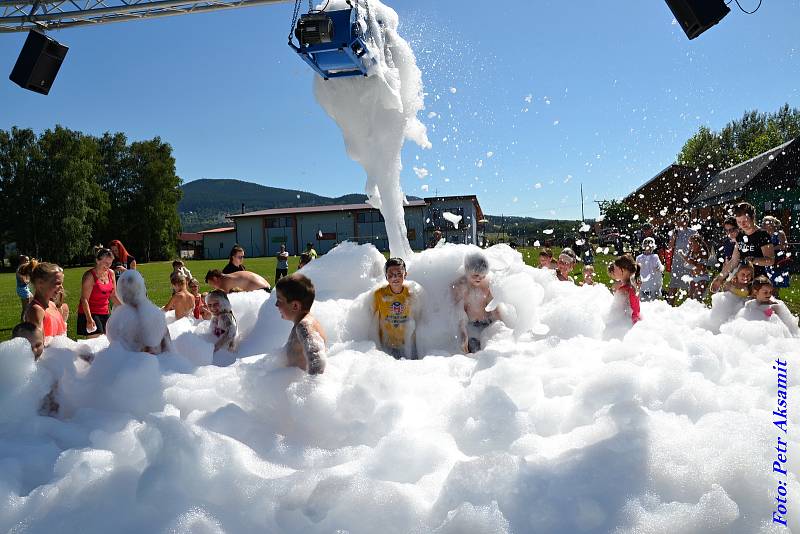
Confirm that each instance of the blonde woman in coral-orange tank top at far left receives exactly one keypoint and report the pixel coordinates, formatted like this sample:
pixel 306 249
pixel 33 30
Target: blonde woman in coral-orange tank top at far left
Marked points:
pixel 47 280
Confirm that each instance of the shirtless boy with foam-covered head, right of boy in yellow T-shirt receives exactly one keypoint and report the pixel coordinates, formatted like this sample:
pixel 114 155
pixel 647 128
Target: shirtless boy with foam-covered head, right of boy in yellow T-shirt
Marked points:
pixel 471 294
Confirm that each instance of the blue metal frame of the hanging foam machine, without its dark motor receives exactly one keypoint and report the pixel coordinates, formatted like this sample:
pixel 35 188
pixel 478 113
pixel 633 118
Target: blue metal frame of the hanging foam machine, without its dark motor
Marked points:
pixel 346 55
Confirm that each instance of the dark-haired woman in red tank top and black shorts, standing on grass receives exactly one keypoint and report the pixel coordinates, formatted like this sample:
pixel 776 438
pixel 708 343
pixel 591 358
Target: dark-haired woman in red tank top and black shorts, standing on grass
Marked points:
pixel 98 287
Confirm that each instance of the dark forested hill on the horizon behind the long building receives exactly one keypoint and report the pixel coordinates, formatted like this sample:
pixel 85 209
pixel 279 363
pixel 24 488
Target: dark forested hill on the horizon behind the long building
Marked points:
pixel 206 202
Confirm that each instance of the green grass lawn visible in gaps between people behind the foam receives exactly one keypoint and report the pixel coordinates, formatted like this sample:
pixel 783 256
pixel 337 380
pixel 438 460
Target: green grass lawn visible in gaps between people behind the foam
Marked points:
pixel 156 276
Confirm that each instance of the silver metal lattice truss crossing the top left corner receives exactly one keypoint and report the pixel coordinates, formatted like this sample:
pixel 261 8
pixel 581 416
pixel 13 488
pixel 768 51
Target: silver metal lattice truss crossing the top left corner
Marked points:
pixel 21 16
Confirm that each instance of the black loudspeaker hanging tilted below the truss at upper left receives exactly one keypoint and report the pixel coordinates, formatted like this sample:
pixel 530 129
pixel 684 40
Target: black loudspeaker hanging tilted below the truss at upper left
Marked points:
pixel 38 63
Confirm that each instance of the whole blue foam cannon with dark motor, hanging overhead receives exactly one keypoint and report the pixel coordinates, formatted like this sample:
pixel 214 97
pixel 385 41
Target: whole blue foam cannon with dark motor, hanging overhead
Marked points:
pixel 333 43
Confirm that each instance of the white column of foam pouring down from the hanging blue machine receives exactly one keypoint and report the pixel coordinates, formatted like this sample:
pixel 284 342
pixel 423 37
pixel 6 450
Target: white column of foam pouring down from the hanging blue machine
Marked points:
pixel 378 113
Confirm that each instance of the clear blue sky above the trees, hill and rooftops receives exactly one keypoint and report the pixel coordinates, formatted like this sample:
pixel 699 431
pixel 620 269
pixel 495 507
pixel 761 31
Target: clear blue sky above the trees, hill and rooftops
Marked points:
pixel 531 99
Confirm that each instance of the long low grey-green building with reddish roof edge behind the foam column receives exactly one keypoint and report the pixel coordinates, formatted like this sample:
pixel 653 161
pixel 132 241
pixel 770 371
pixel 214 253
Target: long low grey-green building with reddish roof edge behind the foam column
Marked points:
pixel 262 232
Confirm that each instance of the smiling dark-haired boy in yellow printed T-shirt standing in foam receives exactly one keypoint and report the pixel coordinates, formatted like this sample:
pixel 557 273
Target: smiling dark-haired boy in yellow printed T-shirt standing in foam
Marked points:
pixel 396 307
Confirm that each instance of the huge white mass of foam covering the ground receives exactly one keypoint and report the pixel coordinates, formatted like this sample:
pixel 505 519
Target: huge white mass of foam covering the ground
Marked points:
pixel 664 427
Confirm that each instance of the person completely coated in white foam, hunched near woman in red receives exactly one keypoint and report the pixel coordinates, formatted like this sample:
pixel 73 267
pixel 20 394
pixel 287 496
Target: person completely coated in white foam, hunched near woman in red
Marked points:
pixel 138 324
